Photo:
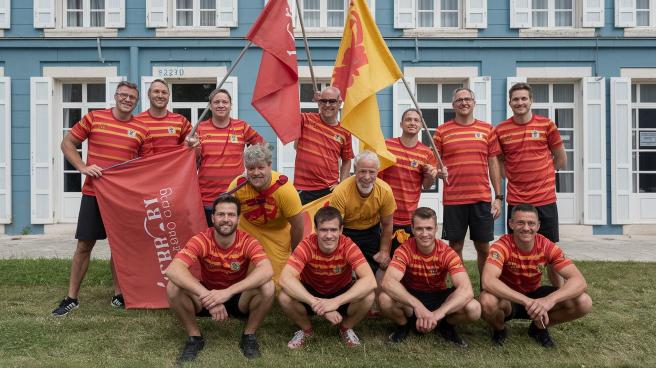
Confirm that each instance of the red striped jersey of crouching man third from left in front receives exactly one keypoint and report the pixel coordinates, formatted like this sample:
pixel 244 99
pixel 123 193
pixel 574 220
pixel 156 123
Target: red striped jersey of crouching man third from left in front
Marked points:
pixel 426 272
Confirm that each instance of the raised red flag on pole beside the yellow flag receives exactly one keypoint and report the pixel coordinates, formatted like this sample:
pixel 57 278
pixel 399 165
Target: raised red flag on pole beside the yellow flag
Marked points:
pixel 276 91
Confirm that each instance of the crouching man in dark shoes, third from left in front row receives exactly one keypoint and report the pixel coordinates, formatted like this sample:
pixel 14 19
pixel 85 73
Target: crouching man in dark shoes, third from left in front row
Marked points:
pixel 414 287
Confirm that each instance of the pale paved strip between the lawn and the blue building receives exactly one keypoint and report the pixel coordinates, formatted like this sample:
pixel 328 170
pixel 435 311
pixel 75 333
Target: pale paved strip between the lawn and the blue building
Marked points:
pixel 589 248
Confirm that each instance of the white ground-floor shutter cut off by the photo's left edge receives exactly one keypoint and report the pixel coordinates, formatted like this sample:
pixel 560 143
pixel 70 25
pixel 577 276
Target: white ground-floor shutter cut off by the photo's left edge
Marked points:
pixel 5 150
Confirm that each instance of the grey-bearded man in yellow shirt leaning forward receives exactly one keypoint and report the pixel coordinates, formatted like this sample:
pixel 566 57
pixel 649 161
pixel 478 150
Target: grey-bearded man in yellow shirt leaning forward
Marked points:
pixel 367 205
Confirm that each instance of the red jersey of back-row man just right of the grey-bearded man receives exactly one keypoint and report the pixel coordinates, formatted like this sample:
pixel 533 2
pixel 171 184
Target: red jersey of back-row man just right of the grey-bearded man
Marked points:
pixel 406 176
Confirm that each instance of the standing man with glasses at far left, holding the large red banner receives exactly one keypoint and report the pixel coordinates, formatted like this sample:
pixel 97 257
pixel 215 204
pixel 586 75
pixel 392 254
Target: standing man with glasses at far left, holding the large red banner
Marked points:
pixel 114 136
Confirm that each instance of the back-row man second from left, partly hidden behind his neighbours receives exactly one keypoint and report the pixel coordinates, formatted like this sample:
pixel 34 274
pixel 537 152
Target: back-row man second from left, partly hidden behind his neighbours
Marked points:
pixel 167 129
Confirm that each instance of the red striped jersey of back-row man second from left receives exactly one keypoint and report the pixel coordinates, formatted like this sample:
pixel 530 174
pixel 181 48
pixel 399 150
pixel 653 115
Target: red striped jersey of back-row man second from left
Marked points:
pixel 166 132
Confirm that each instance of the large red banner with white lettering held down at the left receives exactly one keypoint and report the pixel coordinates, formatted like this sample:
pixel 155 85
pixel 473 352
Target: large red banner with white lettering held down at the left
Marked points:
pixel 150 208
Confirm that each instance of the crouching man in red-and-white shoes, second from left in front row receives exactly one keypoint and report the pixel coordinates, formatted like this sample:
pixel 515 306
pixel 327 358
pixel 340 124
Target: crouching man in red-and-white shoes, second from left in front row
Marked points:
pixel 318 279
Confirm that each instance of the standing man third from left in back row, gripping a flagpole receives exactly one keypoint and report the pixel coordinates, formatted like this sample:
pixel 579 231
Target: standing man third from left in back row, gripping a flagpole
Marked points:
pixel 222 143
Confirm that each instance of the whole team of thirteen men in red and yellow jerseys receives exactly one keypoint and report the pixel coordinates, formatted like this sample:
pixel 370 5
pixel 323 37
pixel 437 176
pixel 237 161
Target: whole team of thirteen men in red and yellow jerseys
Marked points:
pixel 372 243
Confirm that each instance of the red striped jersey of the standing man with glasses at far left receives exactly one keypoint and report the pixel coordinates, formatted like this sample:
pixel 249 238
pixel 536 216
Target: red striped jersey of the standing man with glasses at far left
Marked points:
pixel 111 141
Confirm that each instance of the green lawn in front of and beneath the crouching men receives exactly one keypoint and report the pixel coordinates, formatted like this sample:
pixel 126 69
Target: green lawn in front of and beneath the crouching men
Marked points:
pixel 621 330
